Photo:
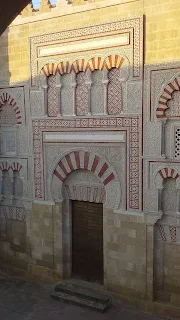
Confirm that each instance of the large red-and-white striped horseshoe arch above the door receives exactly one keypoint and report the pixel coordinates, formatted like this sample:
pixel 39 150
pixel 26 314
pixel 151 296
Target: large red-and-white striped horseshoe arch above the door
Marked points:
pixel 96 165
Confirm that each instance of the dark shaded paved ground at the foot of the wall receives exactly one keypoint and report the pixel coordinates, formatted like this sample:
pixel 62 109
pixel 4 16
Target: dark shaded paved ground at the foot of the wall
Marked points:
pixel 20 300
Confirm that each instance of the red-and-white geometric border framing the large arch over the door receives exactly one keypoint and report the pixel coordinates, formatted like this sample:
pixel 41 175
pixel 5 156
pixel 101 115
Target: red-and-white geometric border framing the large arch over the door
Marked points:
pixel 127 123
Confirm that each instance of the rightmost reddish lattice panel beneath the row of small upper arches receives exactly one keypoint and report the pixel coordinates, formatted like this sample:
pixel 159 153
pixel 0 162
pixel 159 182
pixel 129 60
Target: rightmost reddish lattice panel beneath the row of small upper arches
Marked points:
pixel 114 92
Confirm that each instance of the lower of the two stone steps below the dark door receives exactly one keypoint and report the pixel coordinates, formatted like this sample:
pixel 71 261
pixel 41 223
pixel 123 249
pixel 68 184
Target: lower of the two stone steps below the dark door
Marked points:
pixel 80 301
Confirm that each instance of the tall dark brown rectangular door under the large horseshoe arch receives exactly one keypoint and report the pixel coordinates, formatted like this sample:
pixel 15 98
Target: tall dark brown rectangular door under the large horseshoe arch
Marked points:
pixel 87 241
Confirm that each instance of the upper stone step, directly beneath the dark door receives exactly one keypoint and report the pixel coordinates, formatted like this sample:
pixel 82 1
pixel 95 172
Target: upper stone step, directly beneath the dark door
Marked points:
pixel 83 292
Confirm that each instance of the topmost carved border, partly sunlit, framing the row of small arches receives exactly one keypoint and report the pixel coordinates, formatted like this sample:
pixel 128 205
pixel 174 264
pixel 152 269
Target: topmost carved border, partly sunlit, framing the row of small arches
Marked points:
pixel 134 26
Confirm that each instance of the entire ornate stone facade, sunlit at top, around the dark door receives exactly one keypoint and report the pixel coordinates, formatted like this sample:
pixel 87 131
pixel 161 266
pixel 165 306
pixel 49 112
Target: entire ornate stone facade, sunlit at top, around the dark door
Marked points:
pixel 121 139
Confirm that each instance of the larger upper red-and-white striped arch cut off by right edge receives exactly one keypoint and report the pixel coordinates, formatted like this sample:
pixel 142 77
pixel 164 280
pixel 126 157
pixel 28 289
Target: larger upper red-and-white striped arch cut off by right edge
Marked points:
pixel 166 95
